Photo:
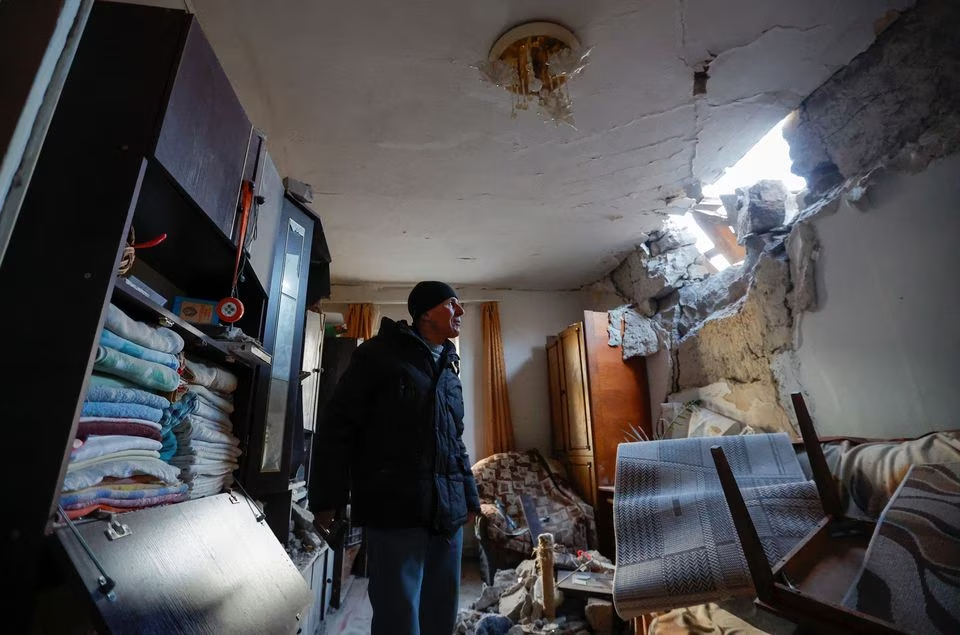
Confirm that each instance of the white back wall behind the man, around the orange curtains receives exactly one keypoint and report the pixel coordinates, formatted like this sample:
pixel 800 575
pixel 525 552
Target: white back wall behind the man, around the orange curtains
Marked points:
pixel 526 318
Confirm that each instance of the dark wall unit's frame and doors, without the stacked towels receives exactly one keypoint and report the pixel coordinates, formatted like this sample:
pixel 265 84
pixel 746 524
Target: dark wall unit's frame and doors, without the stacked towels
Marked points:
pixel 117 157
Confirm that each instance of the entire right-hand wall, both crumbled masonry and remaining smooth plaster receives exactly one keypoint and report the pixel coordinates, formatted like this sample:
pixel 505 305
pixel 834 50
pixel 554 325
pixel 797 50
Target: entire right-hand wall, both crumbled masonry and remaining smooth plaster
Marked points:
pixel 856 310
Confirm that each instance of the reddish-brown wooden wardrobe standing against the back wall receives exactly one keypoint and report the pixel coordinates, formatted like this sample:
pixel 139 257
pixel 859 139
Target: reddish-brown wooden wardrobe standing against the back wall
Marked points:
pixel 595 398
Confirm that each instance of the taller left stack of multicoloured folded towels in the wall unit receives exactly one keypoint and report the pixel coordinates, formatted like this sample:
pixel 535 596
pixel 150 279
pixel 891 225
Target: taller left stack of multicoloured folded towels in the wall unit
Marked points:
pixel 116 463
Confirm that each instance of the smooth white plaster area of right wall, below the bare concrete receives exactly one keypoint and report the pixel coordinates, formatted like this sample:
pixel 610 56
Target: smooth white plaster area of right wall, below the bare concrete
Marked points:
pixel 881 357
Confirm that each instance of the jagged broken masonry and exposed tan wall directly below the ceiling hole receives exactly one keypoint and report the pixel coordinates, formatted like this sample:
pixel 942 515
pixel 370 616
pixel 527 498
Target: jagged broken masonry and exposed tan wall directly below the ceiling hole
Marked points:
pixel 722 331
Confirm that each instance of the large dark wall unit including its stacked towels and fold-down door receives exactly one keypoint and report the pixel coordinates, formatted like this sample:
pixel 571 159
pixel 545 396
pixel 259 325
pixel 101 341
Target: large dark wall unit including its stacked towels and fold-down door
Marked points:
pixel 135 151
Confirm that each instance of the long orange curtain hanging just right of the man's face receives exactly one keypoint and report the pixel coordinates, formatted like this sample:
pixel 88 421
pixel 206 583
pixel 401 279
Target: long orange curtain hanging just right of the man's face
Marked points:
pixel 498 431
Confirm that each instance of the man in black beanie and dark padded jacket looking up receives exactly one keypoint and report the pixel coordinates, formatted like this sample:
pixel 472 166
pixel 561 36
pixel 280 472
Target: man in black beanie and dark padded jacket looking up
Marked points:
pixel 390 443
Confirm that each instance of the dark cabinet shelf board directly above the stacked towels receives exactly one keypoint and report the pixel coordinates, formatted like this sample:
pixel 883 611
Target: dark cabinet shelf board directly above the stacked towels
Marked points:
pixel 221 351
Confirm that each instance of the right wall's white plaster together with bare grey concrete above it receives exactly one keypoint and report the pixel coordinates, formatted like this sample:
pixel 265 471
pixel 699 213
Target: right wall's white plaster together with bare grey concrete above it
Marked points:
pixel 881 355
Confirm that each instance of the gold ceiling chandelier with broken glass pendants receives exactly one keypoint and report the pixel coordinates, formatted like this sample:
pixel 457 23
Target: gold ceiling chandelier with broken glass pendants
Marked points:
pixel 534 62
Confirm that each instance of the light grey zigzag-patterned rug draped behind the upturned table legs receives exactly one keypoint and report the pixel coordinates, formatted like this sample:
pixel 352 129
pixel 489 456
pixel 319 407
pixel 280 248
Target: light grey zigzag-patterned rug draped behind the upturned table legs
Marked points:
pixel 676 543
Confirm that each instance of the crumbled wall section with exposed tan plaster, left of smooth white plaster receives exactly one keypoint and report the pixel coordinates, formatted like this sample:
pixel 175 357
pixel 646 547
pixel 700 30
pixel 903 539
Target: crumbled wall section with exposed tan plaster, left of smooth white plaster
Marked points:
pixel 711 338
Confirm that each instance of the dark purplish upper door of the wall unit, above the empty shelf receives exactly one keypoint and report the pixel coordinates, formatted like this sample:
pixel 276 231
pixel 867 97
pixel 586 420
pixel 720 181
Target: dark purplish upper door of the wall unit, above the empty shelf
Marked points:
pixel 205 133
